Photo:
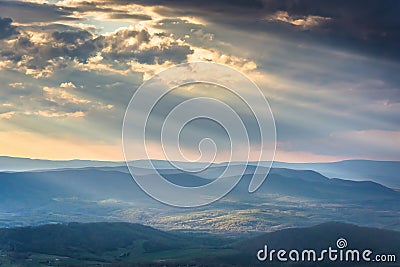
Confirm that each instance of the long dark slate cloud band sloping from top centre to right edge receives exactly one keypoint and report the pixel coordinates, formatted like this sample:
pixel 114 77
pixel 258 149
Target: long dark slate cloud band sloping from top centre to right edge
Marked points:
pixel 368 26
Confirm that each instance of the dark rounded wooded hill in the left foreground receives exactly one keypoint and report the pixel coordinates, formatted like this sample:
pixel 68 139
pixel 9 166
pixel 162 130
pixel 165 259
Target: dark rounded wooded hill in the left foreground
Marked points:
pixel 73 239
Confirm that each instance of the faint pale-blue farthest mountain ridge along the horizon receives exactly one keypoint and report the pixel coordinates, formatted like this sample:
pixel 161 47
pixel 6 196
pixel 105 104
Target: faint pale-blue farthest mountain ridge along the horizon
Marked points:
pixel 382 172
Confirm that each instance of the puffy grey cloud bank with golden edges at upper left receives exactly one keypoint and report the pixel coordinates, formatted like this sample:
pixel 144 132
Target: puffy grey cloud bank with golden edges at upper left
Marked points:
pixel 58 47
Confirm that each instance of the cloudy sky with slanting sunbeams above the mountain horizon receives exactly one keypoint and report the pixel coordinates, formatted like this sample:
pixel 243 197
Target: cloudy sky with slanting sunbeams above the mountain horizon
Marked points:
pixel 329 69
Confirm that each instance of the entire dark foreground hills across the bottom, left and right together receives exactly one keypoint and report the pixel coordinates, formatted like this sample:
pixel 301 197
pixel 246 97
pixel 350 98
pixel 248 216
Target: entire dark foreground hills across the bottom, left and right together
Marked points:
pixel 123 244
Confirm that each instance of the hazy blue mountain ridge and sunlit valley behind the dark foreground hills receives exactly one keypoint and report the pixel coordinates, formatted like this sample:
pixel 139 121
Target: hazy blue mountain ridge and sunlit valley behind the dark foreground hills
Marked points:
pixel 286 198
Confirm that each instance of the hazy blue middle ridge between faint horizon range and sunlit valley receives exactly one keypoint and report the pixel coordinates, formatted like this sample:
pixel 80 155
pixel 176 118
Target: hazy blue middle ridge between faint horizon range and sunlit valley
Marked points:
pixel 98 184
